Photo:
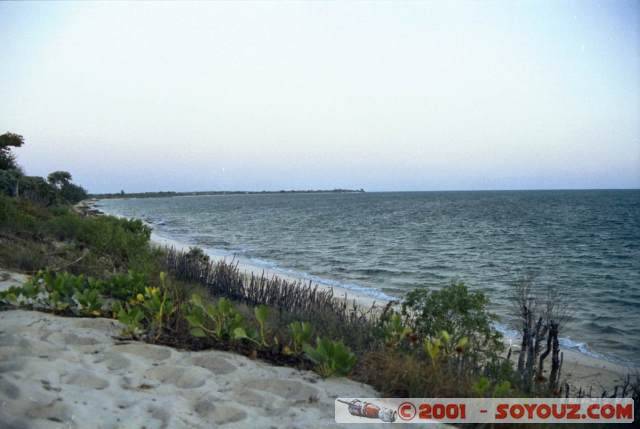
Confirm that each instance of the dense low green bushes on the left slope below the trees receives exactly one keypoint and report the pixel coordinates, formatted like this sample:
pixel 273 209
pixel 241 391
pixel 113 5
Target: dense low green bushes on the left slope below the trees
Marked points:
pixel 98 245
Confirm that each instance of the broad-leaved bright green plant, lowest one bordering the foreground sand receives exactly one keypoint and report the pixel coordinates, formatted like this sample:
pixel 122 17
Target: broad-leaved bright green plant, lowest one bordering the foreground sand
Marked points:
pixel 330 357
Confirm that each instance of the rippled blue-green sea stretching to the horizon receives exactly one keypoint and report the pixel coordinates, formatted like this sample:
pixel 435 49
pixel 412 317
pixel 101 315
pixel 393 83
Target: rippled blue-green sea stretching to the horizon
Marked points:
pixel 585 243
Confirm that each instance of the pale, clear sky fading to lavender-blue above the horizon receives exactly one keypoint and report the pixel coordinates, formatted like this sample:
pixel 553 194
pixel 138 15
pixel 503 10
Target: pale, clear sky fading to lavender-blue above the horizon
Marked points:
pixel 385 96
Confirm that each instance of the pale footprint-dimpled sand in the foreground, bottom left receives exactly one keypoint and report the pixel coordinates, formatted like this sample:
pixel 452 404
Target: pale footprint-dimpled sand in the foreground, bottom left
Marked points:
pixel 70 372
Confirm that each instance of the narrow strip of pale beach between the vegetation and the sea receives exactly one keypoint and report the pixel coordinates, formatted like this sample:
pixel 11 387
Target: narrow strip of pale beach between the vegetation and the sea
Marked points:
pixel 584 370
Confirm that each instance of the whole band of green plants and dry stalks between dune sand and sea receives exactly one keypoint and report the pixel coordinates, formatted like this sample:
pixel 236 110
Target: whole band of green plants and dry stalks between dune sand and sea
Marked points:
pixel 433 343
